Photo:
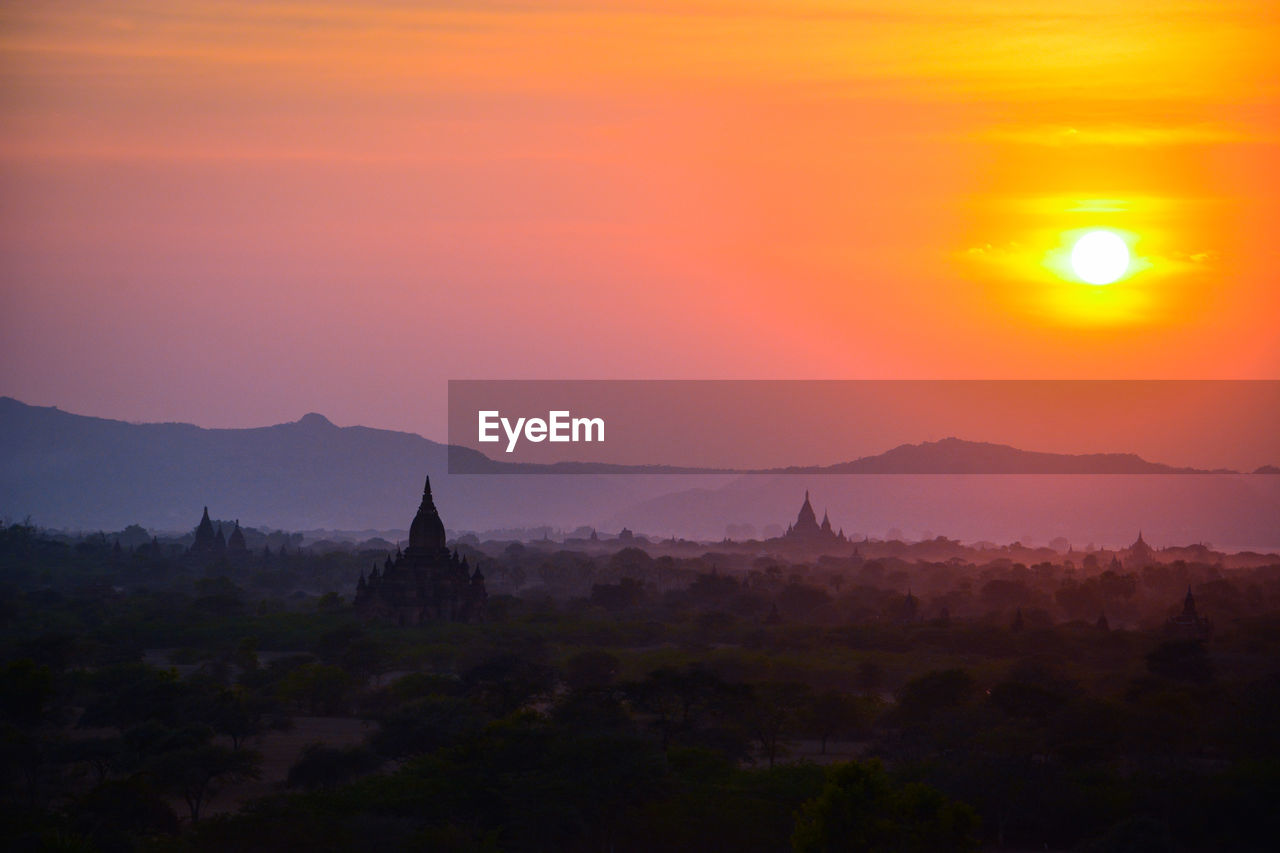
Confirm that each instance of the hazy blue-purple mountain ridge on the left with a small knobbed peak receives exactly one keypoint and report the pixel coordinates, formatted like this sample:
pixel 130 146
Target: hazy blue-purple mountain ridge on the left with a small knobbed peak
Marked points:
pixel 76 472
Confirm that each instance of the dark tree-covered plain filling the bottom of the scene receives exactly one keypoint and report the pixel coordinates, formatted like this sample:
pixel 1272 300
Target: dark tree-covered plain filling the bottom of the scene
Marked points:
pixel 650 713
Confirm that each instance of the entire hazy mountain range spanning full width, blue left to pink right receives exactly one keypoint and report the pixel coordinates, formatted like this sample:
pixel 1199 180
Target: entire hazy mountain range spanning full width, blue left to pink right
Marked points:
pixel 75 472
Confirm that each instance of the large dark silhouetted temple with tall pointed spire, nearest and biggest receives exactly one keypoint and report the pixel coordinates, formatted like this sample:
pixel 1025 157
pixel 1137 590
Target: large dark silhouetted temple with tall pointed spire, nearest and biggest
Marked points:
pixel 427 582
